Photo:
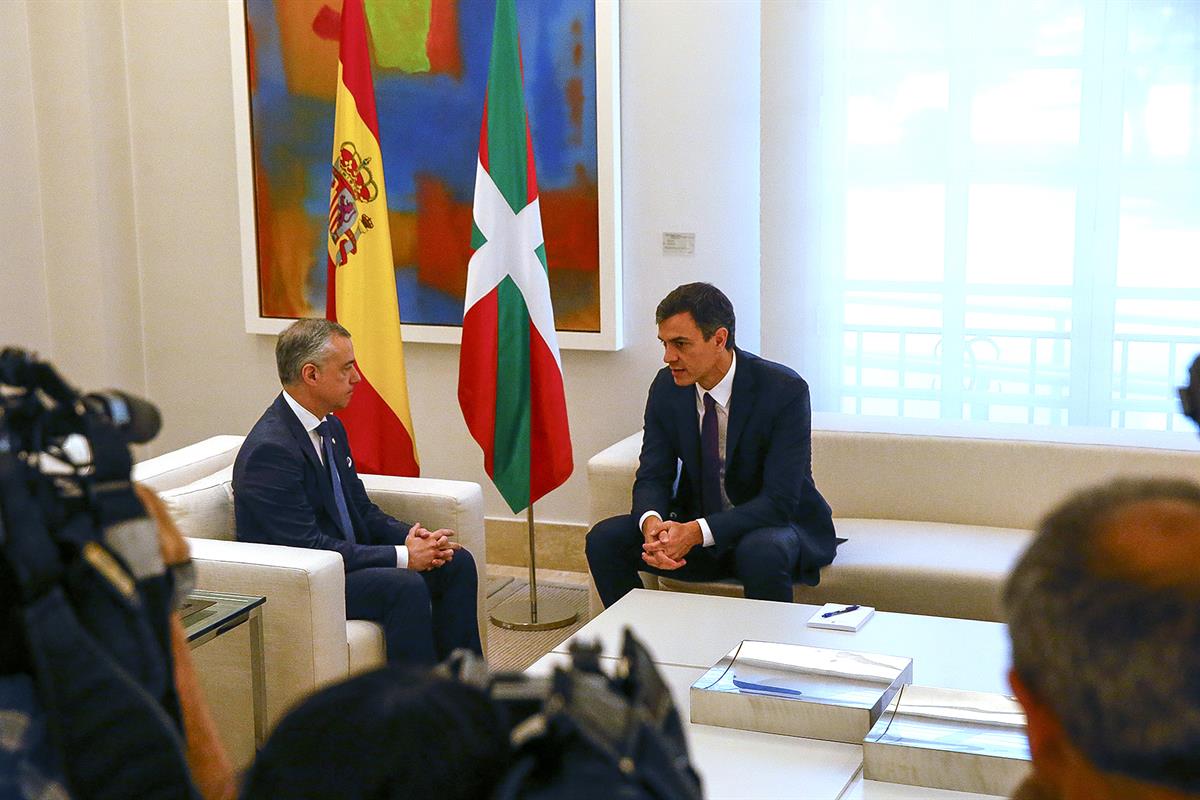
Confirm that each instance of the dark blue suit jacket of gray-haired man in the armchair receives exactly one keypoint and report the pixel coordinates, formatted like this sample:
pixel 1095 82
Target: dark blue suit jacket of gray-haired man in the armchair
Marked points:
pixel 284 496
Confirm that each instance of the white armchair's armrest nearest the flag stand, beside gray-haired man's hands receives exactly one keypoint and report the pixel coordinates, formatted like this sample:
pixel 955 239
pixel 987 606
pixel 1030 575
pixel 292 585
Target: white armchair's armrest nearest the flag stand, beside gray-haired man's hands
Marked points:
pixel 437 503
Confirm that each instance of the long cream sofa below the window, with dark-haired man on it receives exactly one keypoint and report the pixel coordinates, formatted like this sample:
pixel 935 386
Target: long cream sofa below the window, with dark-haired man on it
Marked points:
pixel 935 518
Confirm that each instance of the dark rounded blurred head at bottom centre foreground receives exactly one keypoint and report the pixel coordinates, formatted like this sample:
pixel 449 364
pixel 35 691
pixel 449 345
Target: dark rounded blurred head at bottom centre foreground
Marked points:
pixel 389 735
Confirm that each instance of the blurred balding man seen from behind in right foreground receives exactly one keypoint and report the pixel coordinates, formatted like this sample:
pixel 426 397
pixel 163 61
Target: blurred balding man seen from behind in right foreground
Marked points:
pixel 1105 617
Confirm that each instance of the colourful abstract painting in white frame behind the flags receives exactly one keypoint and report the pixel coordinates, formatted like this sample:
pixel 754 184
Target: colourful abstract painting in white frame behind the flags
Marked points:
pixel 430 65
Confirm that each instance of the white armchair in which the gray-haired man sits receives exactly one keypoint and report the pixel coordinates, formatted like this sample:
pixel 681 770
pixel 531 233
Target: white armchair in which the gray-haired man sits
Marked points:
pixel 309 642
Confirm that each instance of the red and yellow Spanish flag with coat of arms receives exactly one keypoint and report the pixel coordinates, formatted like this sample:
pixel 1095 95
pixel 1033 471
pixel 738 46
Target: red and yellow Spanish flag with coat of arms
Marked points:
pixel 362 292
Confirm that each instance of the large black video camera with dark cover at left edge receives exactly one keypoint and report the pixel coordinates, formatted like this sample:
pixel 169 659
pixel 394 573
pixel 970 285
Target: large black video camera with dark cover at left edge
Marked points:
pixel 86 598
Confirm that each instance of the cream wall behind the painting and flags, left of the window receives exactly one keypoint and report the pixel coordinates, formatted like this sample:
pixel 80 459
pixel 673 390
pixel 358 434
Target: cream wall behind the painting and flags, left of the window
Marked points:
pixel 135 123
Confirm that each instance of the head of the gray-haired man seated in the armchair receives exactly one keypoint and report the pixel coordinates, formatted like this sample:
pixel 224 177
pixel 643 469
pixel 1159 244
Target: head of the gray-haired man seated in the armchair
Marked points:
pixel 316 364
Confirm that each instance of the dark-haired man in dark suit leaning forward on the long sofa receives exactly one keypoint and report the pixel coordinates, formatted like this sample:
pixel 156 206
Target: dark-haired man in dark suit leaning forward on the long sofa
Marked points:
pixel 725 483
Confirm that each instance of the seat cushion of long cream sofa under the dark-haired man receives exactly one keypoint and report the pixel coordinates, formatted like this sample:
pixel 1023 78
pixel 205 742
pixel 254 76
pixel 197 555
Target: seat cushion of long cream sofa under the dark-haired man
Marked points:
pixel 916 568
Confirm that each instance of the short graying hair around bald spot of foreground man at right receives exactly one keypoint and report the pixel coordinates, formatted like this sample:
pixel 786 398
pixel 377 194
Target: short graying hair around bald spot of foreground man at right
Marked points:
pixel 1115 660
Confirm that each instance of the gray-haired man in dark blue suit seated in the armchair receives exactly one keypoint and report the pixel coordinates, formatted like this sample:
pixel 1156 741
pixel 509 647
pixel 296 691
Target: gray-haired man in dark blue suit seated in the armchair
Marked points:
pixel 419 585
